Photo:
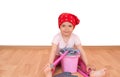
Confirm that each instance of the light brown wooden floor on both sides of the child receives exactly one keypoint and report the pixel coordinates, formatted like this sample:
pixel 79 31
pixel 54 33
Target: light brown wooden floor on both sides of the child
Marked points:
pixel 27 61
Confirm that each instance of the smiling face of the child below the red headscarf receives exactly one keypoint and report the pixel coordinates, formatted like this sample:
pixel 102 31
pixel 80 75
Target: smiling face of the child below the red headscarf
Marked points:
pixel 66 28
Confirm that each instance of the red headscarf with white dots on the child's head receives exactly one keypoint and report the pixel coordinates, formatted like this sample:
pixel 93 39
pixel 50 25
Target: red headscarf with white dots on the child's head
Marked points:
pixel 68 17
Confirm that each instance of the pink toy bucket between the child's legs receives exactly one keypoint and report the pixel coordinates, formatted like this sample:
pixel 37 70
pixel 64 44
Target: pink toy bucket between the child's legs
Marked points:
pixel 70 63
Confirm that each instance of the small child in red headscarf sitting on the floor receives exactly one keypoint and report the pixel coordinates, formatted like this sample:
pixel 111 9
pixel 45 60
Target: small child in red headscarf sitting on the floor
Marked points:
pixel 66 24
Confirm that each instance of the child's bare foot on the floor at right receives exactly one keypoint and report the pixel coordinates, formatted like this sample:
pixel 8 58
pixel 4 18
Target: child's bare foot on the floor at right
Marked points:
pixel 98 73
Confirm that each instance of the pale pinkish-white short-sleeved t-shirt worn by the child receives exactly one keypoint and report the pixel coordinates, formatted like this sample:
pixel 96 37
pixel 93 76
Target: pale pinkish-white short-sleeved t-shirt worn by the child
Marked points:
pixel 58 40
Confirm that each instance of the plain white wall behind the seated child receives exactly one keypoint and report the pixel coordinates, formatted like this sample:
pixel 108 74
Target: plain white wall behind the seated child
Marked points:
pixel 34 22
